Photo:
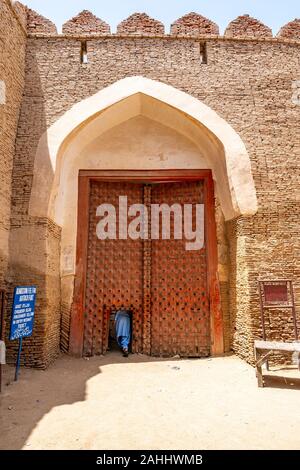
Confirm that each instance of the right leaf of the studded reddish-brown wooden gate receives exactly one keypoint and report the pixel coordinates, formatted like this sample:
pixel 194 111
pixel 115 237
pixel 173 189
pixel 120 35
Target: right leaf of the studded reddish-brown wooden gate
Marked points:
pixel 180 306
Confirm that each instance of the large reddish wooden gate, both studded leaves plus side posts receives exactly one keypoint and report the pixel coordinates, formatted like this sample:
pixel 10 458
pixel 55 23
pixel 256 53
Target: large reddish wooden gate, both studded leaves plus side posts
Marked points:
pixel 173 293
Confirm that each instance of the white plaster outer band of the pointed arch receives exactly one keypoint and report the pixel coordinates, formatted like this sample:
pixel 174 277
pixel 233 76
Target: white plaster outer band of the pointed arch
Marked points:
pixel 238 165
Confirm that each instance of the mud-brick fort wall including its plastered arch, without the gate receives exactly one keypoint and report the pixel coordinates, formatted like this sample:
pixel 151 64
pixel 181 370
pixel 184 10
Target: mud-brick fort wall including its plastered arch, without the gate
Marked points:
pixel 247 80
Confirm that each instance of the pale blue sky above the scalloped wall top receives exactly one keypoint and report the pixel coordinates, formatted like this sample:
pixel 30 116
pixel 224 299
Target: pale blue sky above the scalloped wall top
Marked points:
pixel 274 13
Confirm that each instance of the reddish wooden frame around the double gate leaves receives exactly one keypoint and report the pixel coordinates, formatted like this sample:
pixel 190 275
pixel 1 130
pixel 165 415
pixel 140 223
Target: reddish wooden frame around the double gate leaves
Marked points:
pixel 145 176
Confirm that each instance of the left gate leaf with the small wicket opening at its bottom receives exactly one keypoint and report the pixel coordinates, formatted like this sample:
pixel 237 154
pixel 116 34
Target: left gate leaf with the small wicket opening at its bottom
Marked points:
pixel 114 269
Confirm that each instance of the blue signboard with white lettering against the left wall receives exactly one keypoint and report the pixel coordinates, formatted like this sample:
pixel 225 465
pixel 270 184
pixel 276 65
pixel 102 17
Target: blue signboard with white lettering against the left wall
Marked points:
pixel 23 312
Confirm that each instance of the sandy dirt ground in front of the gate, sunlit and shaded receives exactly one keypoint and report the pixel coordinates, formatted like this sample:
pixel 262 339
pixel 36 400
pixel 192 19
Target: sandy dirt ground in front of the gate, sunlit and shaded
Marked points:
pixel 146 403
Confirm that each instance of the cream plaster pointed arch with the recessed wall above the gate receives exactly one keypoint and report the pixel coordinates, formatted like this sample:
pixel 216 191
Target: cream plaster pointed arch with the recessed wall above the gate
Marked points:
pixel 135 124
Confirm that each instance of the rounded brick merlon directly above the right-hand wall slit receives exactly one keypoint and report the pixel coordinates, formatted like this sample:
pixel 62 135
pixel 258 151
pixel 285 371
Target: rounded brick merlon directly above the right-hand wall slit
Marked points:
pixel 193 24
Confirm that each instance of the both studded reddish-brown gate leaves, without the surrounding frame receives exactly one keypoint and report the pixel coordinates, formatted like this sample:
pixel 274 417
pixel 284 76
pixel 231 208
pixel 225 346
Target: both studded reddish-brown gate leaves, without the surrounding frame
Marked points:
pixel 163 284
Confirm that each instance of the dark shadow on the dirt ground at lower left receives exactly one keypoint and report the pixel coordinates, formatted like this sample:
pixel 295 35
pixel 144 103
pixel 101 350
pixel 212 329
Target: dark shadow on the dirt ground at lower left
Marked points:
pixel 25 403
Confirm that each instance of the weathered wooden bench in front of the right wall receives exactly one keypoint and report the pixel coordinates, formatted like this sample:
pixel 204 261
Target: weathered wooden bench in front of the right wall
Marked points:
pixel 264 349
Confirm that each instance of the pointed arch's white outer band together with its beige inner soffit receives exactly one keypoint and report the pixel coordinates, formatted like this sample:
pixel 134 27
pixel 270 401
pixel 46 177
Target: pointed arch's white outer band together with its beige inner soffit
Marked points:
pixel 224 149
